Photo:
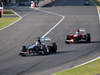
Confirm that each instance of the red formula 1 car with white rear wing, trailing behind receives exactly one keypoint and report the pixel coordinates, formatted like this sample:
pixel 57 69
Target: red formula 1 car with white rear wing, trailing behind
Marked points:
pixel 80 36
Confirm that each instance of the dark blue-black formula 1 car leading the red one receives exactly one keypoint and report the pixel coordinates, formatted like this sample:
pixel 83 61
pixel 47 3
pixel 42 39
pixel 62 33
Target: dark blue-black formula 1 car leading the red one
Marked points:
pixel 42 46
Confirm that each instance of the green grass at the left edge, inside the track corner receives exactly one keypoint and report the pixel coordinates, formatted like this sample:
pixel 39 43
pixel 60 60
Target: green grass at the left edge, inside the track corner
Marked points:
pixel 5 21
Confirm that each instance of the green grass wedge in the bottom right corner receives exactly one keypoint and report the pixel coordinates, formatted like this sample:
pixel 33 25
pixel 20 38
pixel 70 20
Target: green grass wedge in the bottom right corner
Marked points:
pixel 92 68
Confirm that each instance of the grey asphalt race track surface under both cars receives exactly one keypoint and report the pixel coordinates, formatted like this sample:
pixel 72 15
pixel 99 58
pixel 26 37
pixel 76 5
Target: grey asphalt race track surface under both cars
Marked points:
pixel 36 23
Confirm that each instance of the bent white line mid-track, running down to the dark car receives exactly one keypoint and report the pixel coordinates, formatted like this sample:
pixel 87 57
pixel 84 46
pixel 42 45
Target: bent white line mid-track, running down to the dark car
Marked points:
pixel 53 13
